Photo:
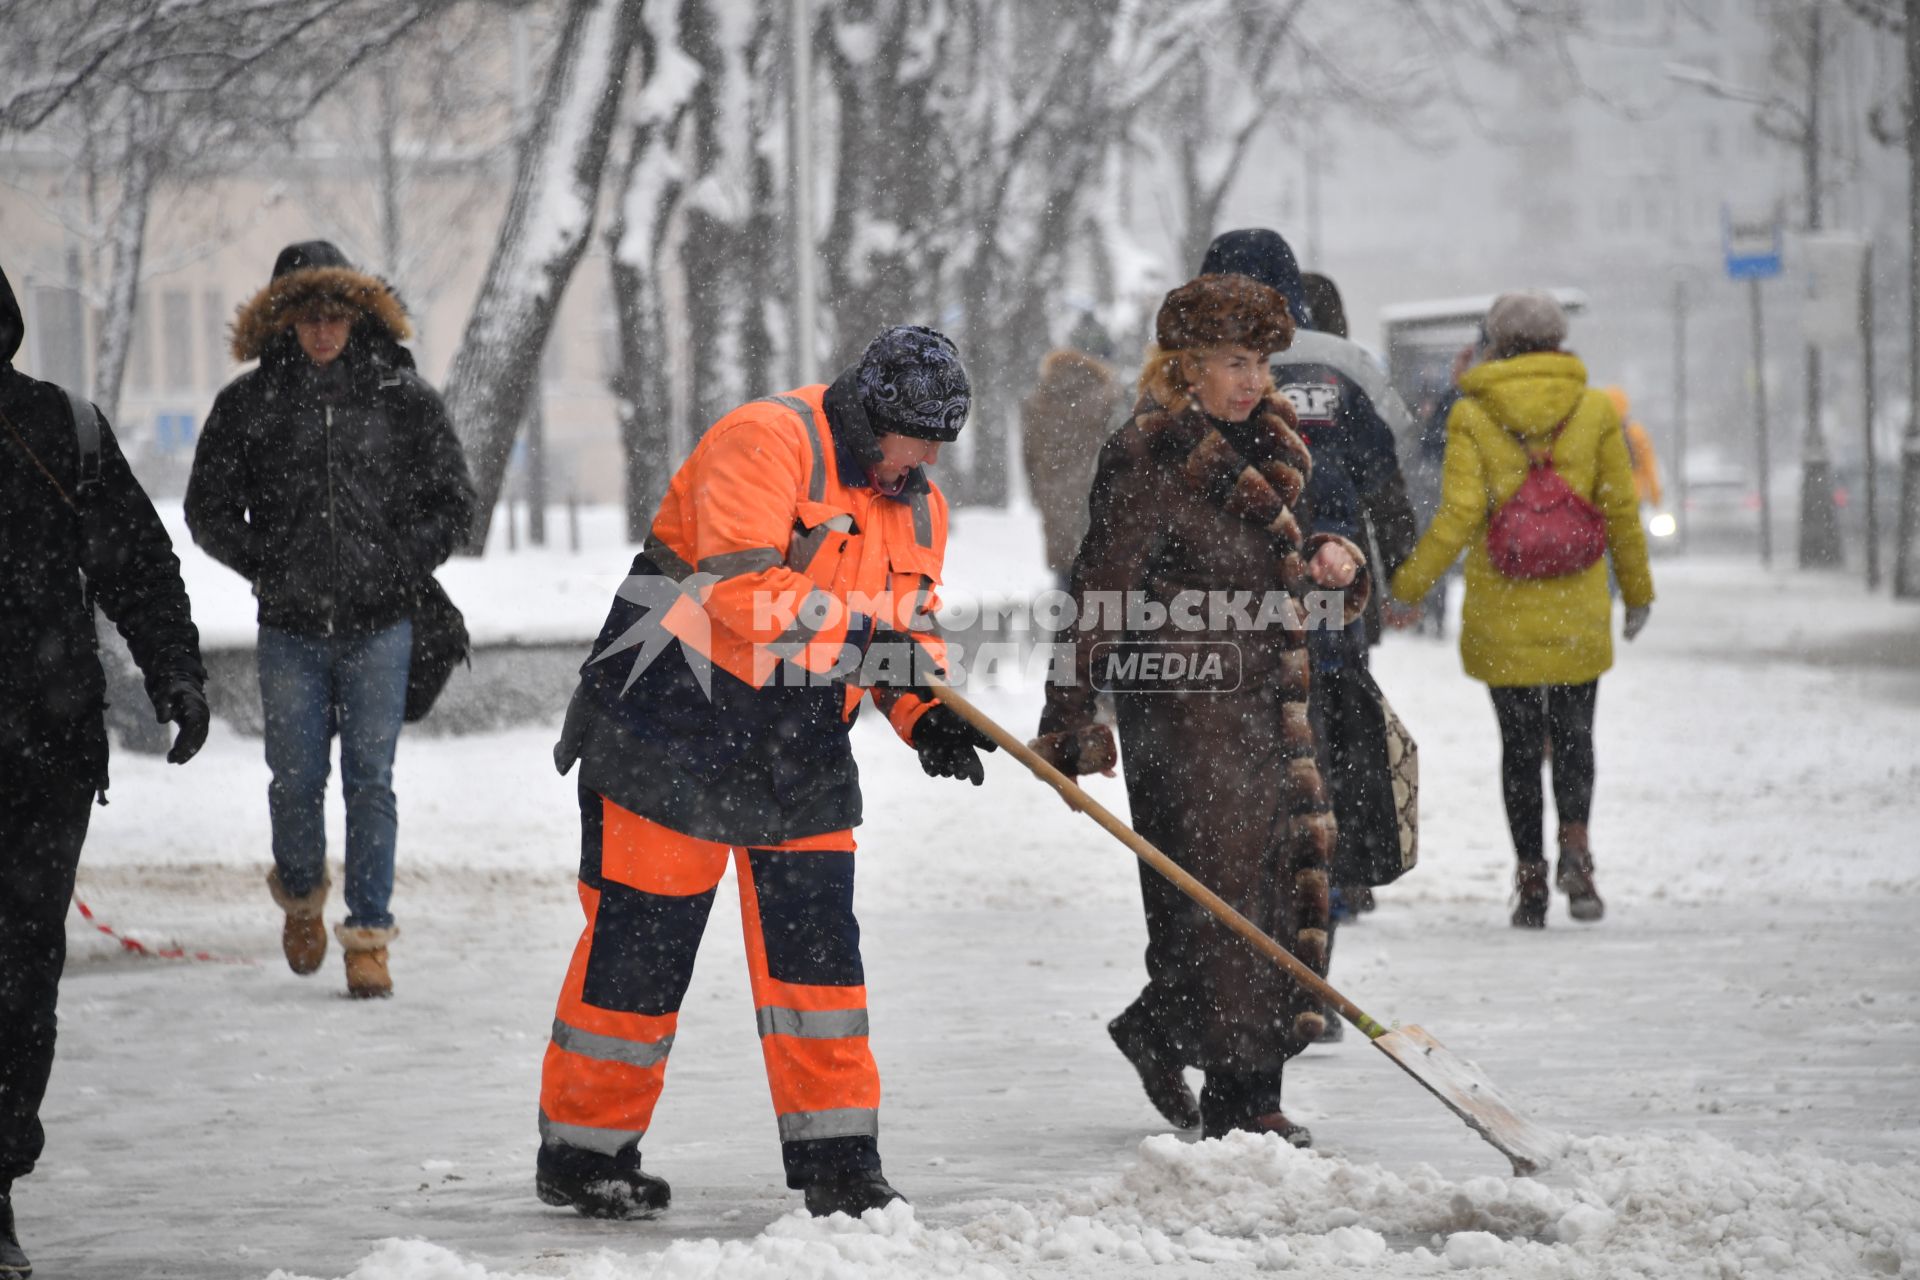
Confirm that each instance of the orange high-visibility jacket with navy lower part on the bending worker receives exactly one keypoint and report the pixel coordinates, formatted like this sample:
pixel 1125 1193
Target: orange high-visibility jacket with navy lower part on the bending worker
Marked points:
pixel 782 565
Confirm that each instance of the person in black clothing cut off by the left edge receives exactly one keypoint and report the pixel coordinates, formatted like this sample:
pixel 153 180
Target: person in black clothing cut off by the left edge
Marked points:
pixel 74 531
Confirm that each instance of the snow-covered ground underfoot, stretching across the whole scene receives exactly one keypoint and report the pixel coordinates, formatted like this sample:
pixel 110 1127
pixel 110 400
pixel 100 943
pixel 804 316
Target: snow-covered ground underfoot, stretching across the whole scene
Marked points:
pixel 1733 1051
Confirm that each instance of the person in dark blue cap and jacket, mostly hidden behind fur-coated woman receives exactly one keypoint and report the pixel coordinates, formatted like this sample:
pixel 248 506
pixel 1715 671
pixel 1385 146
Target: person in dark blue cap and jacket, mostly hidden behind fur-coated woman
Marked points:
pixel 1358 492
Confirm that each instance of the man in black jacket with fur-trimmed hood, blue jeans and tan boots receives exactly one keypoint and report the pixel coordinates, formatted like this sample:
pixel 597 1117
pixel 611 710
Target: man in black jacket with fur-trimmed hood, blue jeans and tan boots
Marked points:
pixel 333 483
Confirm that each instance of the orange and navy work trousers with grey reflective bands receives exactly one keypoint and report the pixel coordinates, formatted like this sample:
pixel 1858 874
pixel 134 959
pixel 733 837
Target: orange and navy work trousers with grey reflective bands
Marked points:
pixel 648 893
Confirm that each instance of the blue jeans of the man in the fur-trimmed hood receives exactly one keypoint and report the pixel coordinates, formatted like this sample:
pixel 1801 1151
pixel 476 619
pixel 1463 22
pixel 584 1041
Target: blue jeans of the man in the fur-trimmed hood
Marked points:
pixel 312 686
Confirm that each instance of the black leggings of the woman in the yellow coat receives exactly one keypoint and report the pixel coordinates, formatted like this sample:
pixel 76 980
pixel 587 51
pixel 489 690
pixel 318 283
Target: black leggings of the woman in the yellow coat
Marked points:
pixel 1529 715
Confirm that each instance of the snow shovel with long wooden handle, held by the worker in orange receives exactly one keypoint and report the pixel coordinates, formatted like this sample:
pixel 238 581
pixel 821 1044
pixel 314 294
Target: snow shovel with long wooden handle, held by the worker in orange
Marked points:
pixel 1452 1079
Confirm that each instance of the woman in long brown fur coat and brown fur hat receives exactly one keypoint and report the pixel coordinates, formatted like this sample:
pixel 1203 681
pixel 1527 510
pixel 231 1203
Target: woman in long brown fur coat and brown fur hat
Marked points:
pixel 1193 513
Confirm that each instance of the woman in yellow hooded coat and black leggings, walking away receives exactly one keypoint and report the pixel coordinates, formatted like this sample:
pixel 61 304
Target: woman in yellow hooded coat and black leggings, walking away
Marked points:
pixel 1539 644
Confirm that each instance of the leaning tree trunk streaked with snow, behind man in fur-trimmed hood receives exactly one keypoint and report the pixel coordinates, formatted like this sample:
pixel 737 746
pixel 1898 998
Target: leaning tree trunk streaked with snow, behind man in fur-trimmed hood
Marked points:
pixel 542 239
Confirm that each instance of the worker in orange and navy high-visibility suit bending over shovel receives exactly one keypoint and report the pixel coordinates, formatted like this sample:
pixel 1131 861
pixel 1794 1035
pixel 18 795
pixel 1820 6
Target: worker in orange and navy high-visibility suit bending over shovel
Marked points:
pixel 790 573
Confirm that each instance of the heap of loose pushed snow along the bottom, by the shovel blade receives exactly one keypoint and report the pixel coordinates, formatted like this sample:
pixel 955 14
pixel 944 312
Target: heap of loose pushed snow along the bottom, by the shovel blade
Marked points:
pixel 1652 1206
